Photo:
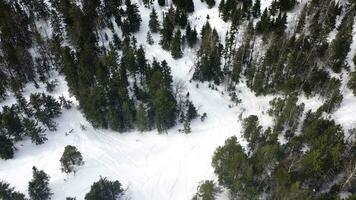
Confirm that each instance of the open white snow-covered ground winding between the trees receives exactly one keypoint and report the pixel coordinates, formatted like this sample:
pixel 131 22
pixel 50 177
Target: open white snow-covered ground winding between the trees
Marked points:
pixel 149 165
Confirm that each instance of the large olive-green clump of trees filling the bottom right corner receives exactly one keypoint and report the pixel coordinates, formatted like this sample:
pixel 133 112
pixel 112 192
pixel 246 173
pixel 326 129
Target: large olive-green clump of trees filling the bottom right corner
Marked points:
pixel 311 165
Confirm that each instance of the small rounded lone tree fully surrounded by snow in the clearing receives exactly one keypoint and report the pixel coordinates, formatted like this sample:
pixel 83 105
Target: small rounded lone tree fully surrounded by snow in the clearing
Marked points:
pixel 71 158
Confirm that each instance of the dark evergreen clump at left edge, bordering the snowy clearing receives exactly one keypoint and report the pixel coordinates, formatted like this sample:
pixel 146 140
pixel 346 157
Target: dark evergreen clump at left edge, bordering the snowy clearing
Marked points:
pixel 28 119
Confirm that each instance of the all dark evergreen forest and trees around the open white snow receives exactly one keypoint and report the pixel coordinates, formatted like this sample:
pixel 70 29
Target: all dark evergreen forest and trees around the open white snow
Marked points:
pixel 305 154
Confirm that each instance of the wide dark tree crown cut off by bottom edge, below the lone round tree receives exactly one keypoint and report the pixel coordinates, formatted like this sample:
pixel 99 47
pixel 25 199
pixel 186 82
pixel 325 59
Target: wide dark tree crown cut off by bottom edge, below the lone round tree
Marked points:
pixel 105 190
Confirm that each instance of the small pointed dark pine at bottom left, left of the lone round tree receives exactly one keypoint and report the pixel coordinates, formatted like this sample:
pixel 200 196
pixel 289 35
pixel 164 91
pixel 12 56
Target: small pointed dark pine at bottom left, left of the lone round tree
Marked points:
pixel 38 187
